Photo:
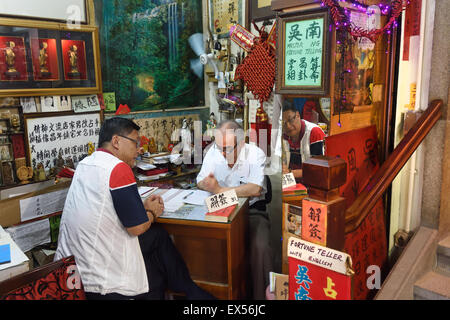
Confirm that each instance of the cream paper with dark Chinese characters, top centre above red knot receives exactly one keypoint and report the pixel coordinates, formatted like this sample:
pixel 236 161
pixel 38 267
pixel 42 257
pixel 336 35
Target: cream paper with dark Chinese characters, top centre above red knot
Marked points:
pixel 223 14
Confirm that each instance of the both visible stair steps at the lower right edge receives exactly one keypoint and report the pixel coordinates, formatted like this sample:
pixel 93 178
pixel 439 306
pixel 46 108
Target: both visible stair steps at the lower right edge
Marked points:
pixel 435 284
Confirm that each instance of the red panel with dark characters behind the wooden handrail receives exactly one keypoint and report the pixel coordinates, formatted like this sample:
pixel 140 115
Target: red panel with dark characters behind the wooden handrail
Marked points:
pixel 367 245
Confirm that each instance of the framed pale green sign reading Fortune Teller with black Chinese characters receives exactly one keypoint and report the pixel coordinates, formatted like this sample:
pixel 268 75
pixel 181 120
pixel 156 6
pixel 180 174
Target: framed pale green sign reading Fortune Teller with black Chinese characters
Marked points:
pixel 303 53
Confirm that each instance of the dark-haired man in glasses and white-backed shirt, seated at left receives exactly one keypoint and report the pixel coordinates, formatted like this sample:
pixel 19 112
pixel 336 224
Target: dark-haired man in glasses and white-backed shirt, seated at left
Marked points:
pixel 119 252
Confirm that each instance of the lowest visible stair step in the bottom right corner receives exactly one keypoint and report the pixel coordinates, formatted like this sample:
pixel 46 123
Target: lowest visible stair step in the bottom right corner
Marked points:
pixel 432 286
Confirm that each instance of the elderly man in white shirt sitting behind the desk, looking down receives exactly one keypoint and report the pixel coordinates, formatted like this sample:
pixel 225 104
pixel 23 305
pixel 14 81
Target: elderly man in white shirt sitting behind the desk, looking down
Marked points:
pixel 233 164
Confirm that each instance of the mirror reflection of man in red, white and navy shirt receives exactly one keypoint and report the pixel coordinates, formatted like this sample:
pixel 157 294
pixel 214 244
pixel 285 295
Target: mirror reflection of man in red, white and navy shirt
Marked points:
pixel 305 139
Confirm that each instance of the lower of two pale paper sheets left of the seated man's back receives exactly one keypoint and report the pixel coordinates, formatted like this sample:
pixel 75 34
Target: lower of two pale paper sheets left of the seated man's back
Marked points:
pixel 30 235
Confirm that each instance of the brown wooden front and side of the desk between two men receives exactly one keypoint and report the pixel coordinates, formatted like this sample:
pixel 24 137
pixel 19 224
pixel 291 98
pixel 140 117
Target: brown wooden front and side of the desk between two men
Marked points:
pixel 215 253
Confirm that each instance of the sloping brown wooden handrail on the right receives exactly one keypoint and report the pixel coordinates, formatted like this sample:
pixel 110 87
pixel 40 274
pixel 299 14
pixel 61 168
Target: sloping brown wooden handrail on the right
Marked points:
pixel 382 179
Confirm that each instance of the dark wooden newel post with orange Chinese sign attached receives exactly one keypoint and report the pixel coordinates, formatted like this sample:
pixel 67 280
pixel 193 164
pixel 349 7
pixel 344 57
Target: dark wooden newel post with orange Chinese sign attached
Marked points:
pixel 323 211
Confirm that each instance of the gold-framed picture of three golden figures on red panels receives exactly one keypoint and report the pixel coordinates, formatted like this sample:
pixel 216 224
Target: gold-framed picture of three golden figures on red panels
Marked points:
pixel 45 59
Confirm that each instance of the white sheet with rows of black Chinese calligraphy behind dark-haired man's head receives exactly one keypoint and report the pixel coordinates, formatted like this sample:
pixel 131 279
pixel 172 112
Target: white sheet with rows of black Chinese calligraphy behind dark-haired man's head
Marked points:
pixel 60 140
